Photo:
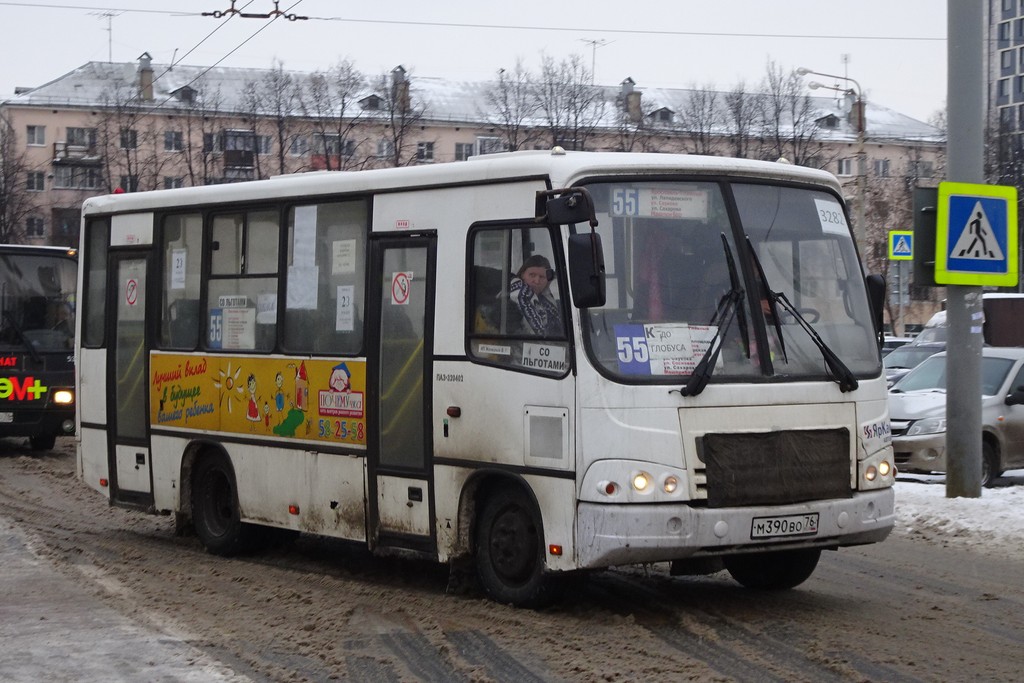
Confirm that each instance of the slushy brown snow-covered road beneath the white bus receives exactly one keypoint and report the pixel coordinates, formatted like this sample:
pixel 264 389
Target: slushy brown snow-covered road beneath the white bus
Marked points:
pixel 943 600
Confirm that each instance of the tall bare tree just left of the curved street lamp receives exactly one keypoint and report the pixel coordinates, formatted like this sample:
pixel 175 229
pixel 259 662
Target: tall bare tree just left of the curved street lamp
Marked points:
pixel 788 118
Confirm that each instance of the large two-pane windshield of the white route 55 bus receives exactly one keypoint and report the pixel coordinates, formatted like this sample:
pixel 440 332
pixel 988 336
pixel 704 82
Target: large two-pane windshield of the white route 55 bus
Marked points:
pixel 677 257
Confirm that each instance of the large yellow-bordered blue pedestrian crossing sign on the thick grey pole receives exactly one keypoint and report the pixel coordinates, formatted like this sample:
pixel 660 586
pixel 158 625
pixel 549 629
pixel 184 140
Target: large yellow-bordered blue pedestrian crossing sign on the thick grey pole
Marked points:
pixel 976 235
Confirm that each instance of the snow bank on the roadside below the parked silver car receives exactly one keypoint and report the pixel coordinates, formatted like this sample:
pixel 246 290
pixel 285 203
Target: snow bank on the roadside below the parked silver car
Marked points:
pixel 993 524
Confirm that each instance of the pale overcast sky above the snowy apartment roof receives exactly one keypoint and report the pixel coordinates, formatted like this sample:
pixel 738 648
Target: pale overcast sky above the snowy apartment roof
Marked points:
pixel 895 50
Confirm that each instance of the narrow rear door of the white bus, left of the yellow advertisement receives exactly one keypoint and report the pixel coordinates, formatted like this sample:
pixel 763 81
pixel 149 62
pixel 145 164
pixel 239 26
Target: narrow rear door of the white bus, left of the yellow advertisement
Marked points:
pixel 131 474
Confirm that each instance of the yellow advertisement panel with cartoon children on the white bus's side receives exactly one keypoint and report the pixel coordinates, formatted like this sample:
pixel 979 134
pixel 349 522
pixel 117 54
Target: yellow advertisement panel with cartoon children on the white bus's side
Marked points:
pixel 260 396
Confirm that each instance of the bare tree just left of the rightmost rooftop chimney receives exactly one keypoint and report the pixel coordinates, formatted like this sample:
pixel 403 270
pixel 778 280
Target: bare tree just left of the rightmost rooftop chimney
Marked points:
pixel 570 104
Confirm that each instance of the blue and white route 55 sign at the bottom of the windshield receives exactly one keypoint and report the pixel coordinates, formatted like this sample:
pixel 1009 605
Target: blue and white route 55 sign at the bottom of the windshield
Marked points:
pixel 661 350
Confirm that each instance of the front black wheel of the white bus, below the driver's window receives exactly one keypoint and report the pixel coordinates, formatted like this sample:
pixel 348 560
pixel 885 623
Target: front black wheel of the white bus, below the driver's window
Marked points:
pixel 510 552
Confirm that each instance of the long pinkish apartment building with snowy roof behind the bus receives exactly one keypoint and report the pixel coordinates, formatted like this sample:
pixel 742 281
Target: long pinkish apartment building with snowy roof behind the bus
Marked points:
pixel 138 126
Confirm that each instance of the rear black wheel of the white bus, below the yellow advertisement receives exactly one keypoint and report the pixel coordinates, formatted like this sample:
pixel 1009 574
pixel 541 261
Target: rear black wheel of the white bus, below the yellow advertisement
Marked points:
pixel 216 508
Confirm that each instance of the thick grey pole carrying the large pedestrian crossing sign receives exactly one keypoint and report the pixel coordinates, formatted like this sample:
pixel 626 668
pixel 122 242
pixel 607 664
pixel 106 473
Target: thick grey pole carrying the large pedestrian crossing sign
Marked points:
pixel 965 149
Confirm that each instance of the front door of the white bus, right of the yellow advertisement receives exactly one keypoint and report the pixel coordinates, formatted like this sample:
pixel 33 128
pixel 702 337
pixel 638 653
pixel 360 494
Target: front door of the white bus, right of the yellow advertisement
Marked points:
pixel 399 416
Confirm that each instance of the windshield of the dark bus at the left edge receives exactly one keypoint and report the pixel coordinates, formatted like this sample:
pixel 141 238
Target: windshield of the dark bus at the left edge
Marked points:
pixel 37 303
